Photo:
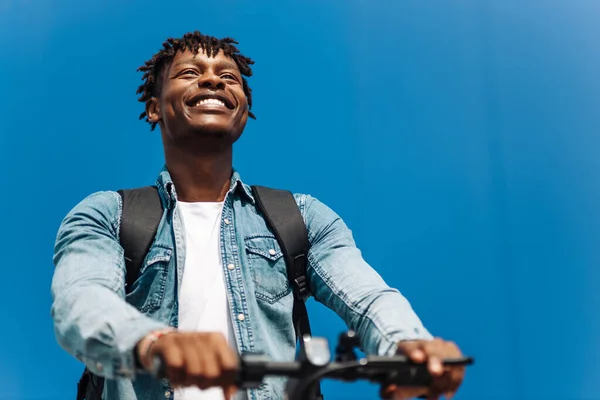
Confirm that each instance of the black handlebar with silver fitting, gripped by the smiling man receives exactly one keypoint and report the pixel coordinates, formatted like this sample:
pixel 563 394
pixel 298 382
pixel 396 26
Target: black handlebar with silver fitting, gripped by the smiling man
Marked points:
pixel 314 363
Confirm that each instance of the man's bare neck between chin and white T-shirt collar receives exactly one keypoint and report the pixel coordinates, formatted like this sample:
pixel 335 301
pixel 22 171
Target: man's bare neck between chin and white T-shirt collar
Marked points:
pixel 200 178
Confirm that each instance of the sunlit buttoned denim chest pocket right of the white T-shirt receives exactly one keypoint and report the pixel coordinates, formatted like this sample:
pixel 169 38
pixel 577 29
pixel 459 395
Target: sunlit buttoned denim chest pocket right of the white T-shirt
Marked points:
pixel 268 269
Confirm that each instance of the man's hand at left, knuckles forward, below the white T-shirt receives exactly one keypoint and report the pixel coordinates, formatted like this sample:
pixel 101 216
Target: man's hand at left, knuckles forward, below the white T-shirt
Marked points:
pixel 193 359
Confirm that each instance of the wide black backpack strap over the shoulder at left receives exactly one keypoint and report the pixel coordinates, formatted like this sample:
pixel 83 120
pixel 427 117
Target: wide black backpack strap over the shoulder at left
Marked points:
pixel 142 211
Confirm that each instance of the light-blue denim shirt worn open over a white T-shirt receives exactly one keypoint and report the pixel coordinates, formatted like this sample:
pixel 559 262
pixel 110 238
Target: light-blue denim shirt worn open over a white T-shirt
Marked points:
pixel 99 322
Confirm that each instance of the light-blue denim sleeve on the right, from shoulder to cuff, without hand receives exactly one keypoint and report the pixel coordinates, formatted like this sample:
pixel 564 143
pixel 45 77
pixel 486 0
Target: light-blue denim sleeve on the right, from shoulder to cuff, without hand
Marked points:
pixel 342 280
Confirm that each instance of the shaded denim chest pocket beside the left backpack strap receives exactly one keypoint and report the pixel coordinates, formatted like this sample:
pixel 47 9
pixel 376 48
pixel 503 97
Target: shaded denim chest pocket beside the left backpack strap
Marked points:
pixel 148 291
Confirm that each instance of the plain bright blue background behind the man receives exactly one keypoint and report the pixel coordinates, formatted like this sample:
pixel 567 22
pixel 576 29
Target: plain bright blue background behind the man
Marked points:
pixel 459 141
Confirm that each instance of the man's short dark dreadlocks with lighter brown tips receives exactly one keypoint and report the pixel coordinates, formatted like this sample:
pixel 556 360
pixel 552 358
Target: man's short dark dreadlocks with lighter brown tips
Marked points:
pixel 154 68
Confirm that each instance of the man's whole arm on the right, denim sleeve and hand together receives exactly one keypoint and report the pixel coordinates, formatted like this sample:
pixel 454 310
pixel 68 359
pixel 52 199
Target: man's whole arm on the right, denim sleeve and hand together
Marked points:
pixel 384 320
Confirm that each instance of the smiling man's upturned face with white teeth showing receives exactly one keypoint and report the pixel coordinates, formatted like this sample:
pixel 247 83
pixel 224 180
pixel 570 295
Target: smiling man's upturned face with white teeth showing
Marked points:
pixel 201 96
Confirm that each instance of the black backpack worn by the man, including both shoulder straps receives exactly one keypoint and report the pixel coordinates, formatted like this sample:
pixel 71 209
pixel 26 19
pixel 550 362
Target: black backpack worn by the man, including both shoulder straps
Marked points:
pixel 142 212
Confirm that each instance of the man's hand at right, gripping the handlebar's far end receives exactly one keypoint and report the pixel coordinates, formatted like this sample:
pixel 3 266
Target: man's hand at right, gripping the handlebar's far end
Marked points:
pixel 446 379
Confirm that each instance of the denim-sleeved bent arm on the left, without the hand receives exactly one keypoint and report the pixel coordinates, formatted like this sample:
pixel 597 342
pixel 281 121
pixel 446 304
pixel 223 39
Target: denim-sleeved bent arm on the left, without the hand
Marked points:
pixel 92 320
